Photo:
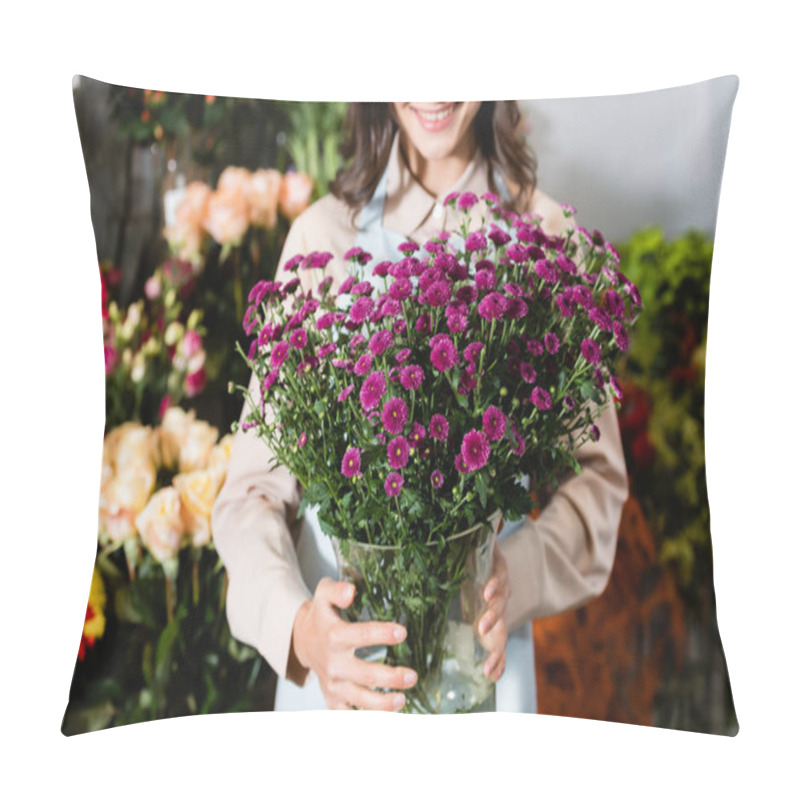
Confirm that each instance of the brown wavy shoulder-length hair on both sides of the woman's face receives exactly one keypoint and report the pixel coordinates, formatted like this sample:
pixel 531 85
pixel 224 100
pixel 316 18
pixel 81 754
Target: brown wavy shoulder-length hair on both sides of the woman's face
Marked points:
pixel 371 128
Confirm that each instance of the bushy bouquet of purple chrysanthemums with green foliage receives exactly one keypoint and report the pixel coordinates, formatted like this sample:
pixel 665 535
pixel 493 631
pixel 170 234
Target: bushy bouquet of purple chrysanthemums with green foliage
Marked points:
pixel 410 401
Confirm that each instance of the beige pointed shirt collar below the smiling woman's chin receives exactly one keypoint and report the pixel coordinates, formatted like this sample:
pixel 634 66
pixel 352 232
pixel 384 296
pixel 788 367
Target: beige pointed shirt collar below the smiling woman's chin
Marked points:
pixel 411 210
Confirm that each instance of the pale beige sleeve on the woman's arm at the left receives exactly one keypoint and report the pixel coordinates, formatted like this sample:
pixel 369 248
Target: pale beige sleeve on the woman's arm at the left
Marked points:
pixel 251 527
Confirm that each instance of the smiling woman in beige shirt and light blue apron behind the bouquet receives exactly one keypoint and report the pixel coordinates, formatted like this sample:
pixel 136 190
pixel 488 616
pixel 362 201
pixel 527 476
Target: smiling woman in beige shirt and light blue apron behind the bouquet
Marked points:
pixel 283 594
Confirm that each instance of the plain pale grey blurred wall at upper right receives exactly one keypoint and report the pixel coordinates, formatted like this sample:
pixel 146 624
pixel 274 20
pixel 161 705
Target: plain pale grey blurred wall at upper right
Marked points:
pixel 628 161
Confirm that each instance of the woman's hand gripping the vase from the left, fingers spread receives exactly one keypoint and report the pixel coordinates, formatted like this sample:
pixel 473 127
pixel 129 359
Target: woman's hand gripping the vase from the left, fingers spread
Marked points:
pixel 324 643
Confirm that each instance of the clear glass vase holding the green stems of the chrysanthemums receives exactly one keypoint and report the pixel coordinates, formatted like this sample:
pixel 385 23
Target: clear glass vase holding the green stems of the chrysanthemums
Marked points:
pixel 436 591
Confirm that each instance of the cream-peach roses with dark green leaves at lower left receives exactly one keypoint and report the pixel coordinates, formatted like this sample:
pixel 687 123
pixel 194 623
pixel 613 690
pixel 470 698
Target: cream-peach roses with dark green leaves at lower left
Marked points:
pixel 156 642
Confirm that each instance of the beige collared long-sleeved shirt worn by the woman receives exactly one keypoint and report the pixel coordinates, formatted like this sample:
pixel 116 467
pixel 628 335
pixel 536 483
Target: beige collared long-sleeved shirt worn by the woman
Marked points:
pixel 559 561
